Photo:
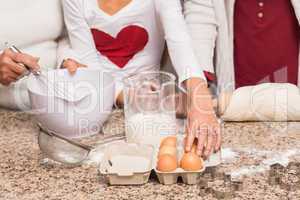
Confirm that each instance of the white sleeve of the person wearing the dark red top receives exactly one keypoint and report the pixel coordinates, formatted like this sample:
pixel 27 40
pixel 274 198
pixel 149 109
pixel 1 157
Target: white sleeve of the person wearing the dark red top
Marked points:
pixel 202 25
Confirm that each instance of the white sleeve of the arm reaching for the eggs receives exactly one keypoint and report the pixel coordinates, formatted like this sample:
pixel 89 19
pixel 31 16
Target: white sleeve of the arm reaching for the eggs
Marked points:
pixel 178 40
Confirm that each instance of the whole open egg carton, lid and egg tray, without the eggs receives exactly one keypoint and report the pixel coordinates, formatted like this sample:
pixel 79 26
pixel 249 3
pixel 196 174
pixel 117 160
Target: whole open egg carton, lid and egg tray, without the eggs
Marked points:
pixel 124 164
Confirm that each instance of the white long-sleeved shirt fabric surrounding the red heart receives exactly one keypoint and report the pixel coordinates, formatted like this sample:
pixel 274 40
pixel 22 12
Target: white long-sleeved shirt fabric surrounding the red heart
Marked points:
pixel 162 19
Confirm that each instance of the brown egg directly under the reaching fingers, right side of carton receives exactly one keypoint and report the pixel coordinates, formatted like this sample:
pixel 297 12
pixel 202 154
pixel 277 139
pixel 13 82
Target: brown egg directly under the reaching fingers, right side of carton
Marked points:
pixel 191 162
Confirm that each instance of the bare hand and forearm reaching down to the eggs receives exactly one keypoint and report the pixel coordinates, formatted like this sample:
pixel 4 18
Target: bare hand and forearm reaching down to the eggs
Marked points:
pixel 202 120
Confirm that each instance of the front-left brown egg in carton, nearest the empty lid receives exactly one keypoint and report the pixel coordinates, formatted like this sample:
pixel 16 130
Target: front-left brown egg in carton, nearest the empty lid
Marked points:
pixel 167 163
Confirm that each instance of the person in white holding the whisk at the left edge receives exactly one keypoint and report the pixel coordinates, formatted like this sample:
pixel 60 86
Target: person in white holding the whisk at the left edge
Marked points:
pixel 36 28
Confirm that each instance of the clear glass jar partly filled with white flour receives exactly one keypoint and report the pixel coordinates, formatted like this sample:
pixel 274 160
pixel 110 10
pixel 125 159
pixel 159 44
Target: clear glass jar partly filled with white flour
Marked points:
pixel 149 103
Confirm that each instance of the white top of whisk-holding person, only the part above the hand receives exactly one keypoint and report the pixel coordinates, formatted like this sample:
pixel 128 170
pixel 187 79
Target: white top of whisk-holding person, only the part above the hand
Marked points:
pixel 34 26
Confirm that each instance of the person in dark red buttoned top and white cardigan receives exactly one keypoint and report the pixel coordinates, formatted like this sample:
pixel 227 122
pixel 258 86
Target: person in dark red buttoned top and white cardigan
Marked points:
pixel 246 42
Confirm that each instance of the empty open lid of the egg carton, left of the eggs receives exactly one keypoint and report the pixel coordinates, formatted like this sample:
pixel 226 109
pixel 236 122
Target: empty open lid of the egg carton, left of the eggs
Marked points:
pixel 127 164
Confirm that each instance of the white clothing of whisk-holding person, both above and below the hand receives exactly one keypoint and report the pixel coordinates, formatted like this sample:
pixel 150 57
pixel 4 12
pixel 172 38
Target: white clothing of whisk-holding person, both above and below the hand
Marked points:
pixel 35 27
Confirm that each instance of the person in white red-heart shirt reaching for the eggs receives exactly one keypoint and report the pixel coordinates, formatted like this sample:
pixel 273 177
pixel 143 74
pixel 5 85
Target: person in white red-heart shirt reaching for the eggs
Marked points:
pixel 126 37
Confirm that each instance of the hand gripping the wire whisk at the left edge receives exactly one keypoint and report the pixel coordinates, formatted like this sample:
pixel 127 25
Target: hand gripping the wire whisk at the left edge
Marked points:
pixel 10 70
